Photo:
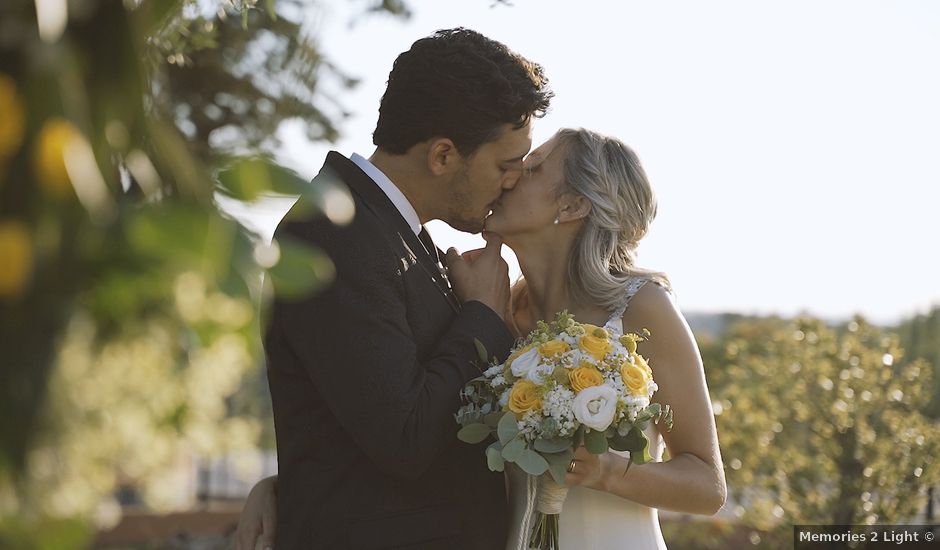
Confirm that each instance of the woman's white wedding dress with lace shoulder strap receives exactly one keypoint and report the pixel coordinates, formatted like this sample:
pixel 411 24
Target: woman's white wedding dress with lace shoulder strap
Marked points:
pixel 592 520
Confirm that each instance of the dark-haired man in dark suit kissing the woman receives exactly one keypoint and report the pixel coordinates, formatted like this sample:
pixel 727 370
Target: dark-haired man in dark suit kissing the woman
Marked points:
pixel 365 374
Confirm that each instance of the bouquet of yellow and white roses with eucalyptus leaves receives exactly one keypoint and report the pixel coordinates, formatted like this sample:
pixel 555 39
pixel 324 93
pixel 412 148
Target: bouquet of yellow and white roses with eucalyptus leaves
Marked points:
pixel 564 385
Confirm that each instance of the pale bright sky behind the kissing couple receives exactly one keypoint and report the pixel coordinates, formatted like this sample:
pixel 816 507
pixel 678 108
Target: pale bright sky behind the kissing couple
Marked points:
pixel 794 146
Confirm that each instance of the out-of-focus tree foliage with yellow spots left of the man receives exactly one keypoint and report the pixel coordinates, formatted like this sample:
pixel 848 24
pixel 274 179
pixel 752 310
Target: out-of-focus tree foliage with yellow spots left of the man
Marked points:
pixel 127 296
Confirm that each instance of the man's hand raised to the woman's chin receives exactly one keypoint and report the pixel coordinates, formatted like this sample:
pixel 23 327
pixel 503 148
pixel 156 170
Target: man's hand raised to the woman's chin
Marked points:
pixel 481 275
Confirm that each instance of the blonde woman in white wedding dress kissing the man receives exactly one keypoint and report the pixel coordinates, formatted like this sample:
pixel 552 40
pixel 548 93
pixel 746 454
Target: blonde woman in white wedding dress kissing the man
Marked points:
pixel 574 221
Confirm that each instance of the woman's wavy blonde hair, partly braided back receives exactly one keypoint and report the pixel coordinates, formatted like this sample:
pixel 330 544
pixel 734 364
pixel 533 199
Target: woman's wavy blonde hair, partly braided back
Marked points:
pixel 605 171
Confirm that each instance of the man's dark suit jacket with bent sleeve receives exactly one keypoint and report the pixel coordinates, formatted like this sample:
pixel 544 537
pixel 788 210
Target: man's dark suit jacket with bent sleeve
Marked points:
pixel 364 379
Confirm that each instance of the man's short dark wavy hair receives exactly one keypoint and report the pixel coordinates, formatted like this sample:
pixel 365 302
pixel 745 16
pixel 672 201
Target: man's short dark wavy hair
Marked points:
pixel 460 85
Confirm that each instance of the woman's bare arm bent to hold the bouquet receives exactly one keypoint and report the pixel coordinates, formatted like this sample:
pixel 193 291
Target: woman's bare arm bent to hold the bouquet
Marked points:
pixel 693 480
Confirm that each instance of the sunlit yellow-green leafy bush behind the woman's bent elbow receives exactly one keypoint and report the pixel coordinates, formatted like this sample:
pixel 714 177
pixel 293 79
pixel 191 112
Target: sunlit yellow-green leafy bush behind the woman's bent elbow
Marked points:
pixel 821 425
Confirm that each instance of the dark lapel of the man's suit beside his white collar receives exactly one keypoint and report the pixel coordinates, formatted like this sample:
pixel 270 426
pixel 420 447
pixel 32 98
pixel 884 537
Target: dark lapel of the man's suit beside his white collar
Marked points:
pixel 382 206
